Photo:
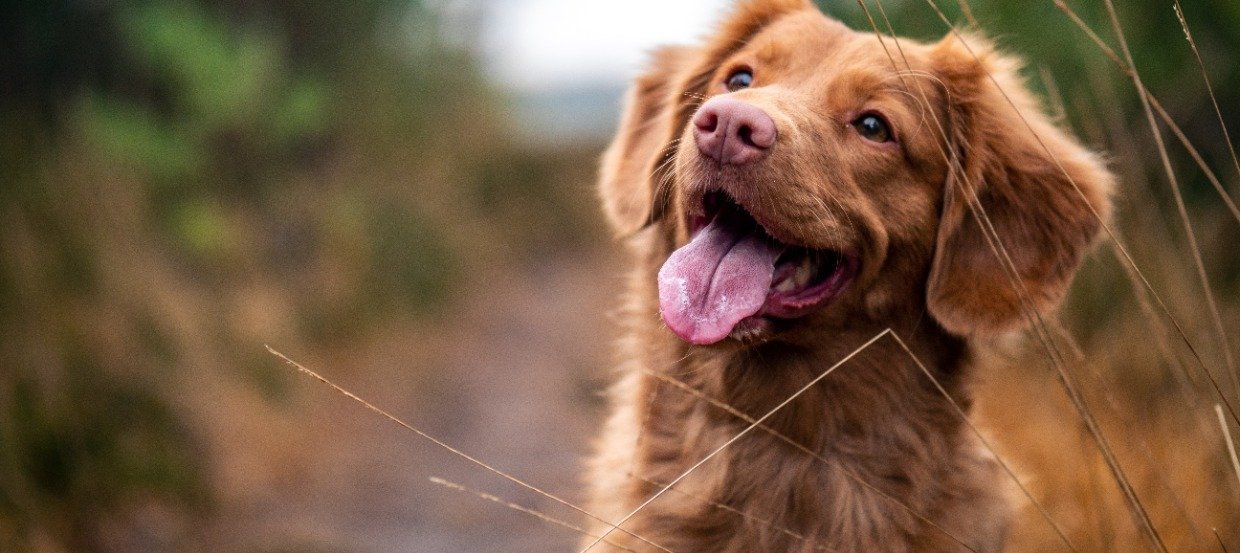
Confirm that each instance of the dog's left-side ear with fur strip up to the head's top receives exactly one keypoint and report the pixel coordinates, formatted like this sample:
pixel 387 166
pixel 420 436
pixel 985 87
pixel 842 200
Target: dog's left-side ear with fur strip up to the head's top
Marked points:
pixel 658 108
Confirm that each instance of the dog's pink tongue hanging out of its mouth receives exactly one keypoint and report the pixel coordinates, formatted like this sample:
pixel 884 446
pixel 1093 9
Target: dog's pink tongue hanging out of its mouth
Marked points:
pixel 720 278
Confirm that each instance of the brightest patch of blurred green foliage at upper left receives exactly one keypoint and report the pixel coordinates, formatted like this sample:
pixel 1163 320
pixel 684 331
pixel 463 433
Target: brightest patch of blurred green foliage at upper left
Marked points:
pixel 218 84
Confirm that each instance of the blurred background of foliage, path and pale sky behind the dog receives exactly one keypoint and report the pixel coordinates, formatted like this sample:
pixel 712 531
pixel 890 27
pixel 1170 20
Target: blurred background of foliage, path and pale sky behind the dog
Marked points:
pixel 399 194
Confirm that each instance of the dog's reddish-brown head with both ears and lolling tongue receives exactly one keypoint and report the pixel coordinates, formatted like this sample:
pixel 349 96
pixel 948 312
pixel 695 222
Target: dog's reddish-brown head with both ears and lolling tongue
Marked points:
pixel 808 174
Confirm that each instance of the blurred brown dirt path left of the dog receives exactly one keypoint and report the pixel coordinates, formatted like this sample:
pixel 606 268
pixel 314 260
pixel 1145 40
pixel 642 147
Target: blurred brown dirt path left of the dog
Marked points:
pixel 511 379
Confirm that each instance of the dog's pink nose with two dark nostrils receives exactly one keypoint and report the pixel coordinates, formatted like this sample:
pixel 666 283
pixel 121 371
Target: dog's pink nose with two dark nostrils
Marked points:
pixel 733 132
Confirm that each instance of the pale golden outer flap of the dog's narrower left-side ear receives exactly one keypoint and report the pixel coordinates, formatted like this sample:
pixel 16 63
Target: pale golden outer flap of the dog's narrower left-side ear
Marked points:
pixel 627 179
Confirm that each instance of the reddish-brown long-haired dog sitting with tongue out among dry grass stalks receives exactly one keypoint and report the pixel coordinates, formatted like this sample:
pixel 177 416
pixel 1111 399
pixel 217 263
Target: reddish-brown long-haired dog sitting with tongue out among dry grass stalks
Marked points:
pixel 790 190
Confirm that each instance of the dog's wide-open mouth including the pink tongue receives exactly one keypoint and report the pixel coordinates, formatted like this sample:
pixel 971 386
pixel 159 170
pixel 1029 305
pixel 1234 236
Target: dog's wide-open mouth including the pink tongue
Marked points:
pixel 733 276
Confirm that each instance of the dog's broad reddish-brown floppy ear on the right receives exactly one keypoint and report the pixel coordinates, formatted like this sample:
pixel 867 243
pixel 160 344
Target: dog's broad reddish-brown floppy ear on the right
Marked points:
pixel 1031 188
